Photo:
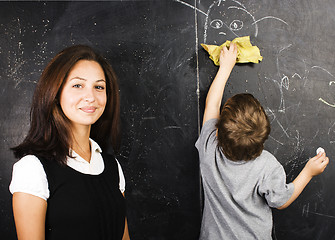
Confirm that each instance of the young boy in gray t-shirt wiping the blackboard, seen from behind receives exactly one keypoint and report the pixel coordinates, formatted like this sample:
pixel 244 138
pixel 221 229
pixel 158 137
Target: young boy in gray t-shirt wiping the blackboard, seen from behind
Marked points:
pixel 241 181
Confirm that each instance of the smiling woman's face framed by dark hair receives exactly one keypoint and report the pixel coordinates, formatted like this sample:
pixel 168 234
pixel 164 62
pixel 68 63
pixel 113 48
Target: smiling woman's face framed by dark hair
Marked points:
pixel 83 97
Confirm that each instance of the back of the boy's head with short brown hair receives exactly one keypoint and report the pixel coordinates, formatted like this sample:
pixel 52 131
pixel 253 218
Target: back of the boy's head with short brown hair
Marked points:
pixel 243 128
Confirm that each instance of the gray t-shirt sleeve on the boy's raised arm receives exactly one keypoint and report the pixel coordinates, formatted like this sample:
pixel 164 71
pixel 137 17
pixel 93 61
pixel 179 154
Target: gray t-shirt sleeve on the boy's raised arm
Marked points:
pixel 207 136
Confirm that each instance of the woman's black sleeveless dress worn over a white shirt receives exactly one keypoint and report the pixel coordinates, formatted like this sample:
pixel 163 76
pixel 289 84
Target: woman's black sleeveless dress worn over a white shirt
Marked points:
pixel 83 206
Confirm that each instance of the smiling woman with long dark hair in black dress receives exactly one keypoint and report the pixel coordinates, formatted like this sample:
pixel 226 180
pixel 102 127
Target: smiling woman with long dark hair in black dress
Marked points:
pixel 64 186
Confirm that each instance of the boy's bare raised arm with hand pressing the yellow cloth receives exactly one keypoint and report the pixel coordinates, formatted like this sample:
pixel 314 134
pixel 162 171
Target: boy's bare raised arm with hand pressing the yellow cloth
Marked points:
pixel 214 96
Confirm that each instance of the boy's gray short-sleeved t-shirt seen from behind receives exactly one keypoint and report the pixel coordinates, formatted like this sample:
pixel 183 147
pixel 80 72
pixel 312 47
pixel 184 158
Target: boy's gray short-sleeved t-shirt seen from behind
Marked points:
pixel 238 195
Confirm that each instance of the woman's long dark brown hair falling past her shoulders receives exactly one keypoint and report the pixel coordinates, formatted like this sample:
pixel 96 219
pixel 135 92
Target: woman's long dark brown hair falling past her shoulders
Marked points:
pixel 50 135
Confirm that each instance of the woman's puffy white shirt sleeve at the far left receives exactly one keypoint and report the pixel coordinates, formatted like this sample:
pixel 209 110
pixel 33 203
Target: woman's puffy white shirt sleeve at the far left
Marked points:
pixel 29 177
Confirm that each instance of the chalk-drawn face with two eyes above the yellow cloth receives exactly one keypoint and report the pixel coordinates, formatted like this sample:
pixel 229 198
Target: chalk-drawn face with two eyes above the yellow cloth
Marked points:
pixel 228 20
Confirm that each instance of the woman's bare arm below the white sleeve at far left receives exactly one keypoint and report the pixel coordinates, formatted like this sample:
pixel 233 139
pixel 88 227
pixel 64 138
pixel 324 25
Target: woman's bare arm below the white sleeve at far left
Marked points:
pixel 29 215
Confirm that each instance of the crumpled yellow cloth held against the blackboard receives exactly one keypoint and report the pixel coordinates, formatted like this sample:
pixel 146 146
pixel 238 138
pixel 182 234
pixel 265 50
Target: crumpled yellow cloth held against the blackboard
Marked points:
pixel 245 51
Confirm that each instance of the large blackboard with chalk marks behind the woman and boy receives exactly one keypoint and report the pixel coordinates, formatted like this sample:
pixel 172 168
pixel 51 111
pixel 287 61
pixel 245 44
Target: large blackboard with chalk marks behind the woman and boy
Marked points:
pixel 164 75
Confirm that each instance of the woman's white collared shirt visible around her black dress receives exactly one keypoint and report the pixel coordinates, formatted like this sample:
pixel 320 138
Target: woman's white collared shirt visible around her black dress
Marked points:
pixel 29 176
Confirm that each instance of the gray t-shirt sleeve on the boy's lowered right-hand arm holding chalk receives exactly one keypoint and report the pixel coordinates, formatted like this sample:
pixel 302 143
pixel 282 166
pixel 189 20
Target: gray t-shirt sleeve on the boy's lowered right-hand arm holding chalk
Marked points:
pixel 274 187
